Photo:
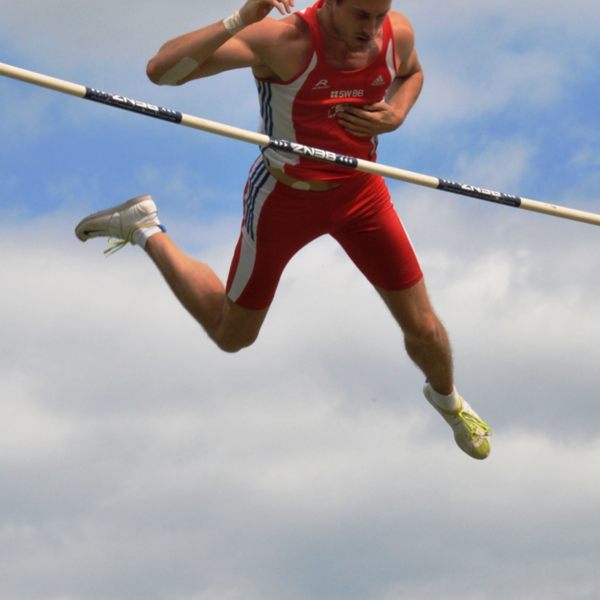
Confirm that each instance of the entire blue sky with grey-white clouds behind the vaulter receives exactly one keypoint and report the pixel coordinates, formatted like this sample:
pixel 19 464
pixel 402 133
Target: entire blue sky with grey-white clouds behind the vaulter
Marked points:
pixel 138 461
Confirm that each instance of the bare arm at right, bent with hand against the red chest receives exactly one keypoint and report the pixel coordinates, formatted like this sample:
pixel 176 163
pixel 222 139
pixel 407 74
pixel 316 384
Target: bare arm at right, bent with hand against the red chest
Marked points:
pixel 384 117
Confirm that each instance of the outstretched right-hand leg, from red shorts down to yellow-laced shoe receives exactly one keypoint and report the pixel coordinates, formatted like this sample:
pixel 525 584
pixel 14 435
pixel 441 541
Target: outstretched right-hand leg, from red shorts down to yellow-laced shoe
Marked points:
pixel 376 241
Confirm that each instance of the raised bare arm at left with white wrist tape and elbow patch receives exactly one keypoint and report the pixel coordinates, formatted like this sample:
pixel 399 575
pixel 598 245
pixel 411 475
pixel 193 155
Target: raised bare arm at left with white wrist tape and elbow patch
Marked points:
pixel 274 49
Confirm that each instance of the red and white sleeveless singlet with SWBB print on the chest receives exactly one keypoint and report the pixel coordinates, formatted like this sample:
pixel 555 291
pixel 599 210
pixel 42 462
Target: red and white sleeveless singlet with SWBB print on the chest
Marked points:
pixel 304 109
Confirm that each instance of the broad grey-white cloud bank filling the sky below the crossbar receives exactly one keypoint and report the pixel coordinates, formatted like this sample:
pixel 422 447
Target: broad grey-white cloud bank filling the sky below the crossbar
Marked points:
pixel 142 461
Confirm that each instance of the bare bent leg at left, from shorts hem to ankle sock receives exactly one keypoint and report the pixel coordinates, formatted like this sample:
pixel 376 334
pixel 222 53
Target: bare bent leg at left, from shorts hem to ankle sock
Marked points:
pixel 199 290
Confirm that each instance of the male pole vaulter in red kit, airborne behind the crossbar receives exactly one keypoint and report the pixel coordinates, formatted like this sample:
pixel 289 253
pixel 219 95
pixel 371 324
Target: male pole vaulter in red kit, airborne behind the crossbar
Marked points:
pixel 334 76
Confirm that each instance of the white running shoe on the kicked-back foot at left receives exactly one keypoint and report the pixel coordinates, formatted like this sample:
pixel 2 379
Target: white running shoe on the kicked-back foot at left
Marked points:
pixel 120 222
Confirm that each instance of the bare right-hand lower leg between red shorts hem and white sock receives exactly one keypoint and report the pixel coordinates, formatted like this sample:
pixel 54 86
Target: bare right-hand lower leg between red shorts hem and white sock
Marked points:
pixel 425 337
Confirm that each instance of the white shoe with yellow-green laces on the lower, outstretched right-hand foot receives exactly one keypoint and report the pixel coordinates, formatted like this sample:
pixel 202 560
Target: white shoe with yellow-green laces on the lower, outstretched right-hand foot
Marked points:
pixel 470 431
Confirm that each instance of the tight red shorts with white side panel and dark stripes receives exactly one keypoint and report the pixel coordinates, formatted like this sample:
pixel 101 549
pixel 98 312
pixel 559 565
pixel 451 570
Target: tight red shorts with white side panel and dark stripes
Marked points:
pixel 280 220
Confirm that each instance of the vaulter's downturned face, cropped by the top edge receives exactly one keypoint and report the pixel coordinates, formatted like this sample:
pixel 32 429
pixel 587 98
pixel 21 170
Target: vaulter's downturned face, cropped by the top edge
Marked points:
pixel 357 22
